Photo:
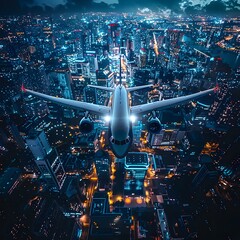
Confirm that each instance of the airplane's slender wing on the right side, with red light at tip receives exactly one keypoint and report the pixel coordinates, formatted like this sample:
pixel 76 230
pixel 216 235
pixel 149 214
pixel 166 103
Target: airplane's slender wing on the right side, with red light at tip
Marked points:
pixel 160 105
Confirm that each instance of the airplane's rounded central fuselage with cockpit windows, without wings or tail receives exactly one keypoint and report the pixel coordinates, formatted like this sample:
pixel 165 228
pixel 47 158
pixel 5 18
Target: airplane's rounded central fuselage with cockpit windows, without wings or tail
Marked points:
pixel 120 127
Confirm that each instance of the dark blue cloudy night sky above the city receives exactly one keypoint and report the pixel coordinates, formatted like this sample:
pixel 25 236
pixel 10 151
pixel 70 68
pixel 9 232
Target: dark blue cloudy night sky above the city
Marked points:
pixel 219 7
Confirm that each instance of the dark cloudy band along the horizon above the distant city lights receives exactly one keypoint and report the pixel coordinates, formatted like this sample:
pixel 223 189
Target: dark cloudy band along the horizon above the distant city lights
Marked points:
pixel 214 8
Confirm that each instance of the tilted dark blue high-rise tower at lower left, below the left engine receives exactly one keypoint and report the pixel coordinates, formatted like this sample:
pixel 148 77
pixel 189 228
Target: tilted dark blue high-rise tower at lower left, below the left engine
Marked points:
pixel 47 159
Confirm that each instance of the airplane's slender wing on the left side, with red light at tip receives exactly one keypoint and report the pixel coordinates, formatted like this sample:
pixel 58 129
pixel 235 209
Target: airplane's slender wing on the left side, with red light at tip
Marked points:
pixel 94 108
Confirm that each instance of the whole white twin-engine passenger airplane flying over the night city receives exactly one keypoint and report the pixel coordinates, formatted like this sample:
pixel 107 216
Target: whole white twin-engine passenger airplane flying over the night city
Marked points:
pixel 120 112
